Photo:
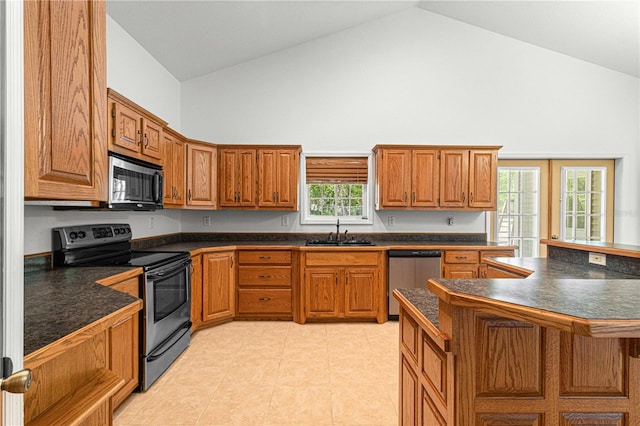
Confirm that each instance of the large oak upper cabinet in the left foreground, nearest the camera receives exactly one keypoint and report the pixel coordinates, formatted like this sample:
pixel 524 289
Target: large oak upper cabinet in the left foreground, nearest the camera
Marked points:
pixel 65 103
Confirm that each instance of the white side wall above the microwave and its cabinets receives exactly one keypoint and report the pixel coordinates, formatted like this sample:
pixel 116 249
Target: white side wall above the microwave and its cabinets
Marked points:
pixel 134 73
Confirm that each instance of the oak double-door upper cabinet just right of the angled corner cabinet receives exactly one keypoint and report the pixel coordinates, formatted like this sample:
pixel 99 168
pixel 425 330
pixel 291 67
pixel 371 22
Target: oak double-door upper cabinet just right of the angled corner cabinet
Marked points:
pixel 237 177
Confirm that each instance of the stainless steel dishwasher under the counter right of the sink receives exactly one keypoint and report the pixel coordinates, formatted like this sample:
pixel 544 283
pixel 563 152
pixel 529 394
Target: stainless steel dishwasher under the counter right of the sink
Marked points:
pixel 410 269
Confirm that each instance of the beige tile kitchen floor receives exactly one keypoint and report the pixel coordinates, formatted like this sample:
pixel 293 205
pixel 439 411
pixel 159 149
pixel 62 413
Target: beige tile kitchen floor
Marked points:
pixel 277 373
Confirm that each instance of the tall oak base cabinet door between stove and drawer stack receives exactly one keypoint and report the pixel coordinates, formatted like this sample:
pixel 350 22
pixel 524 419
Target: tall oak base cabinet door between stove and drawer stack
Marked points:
pixel 218 286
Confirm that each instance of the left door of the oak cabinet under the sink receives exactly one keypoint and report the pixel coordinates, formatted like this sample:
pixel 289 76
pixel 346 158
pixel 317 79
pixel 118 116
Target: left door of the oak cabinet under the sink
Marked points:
pixel 321 293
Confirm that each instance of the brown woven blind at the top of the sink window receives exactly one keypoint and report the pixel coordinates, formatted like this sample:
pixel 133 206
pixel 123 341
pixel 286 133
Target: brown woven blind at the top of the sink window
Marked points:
pixel 337 170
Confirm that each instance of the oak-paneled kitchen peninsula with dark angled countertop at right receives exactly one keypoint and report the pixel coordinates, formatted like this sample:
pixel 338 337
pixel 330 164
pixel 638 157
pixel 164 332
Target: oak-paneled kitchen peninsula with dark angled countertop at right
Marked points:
pixel 560 347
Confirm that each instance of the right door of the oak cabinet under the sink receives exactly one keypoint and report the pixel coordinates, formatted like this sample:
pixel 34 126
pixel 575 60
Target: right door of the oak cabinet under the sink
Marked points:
pixel 361 293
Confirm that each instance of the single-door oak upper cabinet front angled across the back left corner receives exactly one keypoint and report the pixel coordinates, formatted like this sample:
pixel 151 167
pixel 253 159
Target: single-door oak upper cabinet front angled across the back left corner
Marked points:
pixel 201 181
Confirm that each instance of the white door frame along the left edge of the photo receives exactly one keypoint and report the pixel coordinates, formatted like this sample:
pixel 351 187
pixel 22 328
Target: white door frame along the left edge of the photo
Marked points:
pixel 12 168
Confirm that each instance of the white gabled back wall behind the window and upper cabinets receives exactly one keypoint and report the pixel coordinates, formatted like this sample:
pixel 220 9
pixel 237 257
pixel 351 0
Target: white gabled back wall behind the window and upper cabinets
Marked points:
pixel 421 78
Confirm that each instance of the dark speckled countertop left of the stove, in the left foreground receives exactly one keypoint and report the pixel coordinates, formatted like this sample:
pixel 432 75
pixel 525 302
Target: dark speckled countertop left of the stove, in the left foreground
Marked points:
pixel 61 301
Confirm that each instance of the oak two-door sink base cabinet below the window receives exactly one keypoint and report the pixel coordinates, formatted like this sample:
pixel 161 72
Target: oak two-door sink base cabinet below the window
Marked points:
pixel 343 285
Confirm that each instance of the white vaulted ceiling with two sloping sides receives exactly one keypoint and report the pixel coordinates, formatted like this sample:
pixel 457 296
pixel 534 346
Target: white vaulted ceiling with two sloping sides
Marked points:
pixel 193 38
